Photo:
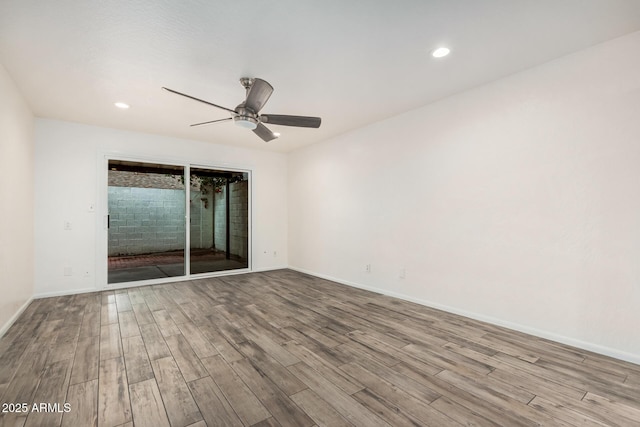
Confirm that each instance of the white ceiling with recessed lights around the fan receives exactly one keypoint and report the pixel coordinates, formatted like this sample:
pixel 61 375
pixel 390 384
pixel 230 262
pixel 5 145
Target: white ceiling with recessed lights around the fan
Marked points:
pixel 350 62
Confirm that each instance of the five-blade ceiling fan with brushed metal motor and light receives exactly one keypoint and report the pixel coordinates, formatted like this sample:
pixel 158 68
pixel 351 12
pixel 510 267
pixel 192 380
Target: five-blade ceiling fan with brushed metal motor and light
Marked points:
pixel 246 113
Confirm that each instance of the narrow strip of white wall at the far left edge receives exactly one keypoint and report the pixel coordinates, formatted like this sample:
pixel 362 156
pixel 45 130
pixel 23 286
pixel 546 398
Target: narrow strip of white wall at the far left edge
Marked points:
pixel 16 201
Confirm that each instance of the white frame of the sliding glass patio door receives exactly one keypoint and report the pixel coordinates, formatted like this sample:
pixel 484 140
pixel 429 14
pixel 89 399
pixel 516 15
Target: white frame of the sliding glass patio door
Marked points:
pixel 102 232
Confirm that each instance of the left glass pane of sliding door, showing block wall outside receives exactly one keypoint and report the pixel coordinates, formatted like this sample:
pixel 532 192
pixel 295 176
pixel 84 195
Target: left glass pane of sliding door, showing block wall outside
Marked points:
pixel 146 225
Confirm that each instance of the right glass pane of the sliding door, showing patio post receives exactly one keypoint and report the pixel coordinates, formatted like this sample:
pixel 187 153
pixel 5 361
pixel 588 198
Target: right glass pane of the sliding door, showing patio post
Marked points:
pixel 219 221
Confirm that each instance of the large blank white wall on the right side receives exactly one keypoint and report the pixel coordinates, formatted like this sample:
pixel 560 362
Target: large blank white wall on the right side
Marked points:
pixel 517 202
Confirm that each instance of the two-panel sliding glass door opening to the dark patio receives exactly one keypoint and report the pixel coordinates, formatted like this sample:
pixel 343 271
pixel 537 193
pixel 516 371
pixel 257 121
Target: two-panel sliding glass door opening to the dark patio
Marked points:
pixel 155 212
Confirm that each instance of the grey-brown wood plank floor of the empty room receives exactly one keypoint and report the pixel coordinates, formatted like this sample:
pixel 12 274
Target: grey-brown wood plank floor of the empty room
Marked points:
pixel 283 348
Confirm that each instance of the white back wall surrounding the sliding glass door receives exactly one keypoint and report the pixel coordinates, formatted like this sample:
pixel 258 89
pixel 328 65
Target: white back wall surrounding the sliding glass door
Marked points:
pixel 70 176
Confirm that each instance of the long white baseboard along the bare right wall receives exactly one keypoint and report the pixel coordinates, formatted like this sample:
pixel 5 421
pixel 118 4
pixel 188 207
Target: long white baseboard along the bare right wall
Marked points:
pixel 596 348
